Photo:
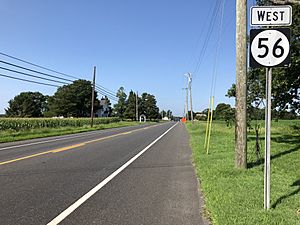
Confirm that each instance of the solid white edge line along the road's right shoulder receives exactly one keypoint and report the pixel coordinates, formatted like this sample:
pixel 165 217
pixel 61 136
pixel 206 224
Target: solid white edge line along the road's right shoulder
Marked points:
pixel 89 194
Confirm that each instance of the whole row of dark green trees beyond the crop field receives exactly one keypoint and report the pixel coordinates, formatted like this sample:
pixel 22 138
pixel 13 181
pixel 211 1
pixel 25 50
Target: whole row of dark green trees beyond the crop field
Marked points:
pixel 74 100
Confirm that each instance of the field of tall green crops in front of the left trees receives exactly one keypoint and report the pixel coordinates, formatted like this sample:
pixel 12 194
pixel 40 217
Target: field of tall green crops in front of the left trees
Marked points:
pixel 20 124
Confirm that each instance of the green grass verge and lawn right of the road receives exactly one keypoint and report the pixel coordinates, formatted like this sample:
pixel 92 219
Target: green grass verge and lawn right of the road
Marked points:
pixel 235 196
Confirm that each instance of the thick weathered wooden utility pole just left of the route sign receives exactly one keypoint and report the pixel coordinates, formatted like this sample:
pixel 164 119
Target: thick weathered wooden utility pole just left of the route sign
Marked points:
pixel 241 94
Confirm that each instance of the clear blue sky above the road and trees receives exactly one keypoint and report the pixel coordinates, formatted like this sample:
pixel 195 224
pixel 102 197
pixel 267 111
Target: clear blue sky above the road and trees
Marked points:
pixel 142 45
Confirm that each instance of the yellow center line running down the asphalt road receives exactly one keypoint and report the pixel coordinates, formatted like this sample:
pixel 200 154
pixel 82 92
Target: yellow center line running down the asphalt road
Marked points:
pixel 73 146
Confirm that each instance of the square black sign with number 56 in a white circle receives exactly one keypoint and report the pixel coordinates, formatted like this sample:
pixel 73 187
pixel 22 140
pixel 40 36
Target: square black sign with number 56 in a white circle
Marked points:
pixel 270 47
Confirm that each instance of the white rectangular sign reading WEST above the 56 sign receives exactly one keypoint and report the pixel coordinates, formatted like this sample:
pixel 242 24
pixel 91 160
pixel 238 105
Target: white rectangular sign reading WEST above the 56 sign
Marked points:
pixel 271 15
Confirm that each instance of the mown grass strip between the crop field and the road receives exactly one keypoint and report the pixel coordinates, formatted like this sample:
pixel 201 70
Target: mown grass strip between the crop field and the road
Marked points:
pixel 12 135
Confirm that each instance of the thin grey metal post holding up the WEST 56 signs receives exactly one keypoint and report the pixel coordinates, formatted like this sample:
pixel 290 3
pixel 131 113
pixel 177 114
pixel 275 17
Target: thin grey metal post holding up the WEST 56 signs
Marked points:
pixel 267 139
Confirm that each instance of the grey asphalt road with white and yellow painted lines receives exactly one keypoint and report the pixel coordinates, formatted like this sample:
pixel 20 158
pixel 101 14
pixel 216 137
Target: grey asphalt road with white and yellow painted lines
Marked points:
pixel 116 176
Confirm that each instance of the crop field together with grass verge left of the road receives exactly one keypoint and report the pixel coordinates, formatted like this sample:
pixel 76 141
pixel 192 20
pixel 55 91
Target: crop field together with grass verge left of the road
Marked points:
pixel 23 129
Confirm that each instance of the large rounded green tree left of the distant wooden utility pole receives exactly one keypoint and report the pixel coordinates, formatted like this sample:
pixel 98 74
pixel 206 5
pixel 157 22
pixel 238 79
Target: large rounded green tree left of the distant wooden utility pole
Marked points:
pixel 73 100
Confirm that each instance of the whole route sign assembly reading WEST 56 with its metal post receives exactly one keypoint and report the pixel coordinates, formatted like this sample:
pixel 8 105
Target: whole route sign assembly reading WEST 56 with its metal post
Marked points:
pixel 269 48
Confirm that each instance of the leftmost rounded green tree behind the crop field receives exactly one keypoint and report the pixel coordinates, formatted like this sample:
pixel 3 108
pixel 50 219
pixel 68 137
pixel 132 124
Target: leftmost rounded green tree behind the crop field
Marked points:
pixel 27 104
